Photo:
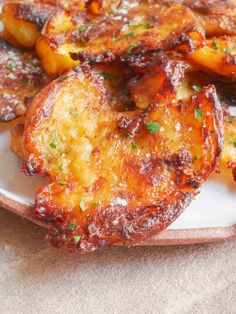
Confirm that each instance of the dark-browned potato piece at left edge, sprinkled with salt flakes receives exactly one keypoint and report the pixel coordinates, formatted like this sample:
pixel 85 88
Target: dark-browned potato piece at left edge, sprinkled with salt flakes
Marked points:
pixel 21 77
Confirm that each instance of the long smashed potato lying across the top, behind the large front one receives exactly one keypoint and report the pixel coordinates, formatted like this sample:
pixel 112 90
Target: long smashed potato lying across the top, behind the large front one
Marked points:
pixel 116 36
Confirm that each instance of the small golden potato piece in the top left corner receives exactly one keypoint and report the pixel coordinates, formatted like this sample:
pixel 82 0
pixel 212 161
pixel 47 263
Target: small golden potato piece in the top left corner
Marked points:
pixel 23 22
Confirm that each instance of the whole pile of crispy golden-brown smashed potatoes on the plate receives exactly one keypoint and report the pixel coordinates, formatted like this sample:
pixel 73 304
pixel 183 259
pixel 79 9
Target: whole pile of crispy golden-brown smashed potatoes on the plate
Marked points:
pixel 128 113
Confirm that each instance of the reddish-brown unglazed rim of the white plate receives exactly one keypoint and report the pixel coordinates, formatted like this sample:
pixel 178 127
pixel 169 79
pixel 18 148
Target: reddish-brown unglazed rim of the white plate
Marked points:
pixel 167 237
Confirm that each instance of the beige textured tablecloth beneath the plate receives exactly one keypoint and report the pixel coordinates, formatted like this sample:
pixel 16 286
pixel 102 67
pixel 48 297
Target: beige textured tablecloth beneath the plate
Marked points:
pixel 35 278
